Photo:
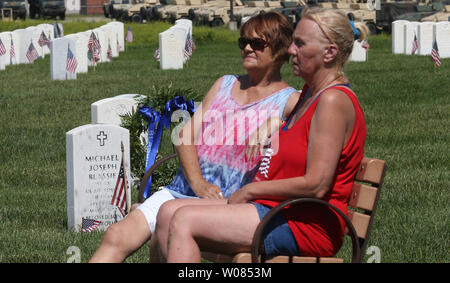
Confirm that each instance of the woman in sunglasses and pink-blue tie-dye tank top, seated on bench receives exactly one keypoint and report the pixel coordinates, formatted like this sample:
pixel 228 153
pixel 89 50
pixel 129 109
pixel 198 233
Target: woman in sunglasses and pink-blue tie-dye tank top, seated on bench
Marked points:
pixel 211 147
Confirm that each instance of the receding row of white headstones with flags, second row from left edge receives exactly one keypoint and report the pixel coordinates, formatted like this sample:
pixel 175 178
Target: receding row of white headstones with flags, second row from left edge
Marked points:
pixel 109 35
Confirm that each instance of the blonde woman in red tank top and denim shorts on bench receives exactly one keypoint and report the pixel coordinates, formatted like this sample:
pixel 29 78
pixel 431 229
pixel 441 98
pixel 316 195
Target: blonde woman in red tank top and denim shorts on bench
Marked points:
pixel 317 155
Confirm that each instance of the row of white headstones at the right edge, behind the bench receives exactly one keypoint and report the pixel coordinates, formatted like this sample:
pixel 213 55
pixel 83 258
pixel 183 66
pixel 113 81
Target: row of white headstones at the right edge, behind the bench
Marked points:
pixel 403 33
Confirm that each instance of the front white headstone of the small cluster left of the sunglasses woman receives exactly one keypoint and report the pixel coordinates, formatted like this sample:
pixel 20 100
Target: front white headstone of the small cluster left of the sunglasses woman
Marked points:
pixel 171 44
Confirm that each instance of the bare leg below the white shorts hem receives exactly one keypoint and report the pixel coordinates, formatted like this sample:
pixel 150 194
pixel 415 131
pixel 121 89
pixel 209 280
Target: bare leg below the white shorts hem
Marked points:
pixel 123 238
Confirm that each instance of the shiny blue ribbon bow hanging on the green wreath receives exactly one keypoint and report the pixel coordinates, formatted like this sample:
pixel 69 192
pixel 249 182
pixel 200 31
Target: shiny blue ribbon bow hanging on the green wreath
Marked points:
pixel 156 124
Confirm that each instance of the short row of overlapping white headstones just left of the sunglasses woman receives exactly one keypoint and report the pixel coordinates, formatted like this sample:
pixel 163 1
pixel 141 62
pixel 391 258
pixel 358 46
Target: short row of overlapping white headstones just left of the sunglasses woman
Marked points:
pixel 173 44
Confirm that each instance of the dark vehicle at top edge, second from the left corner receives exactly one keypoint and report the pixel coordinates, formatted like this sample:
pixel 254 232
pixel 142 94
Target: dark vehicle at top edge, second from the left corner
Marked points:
pixel 47 8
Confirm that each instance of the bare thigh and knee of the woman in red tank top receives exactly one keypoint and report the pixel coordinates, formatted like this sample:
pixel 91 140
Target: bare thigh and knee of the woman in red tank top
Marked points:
pixel 218 228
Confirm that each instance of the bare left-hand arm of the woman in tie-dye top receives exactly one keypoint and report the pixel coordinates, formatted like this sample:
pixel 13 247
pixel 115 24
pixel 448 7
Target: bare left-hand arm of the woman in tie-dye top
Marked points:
pixel 188 153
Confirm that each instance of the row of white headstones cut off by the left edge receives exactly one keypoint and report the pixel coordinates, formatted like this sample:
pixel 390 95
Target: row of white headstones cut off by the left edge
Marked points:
pixel 21 40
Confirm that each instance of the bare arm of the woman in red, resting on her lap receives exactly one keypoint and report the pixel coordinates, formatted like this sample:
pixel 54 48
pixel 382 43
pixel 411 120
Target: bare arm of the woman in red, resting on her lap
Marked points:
pixel 330 128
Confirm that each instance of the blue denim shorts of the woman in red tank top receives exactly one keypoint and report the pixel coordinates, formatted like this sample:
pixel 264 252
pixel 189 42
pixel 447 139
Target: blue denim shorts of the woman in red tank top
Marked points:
pixel 278 237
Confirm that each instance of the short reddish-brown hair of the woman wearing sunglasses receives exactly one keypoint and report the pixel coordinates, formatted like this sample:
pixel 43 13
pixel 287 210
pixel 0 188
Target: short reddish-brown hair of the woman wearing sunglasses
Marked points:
pixel 276 30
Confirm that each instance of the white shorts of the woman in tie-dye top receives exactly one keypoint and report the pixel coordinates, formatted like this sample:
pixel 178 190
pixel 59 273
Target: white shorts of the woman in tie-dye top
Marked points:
pixel 151 206
